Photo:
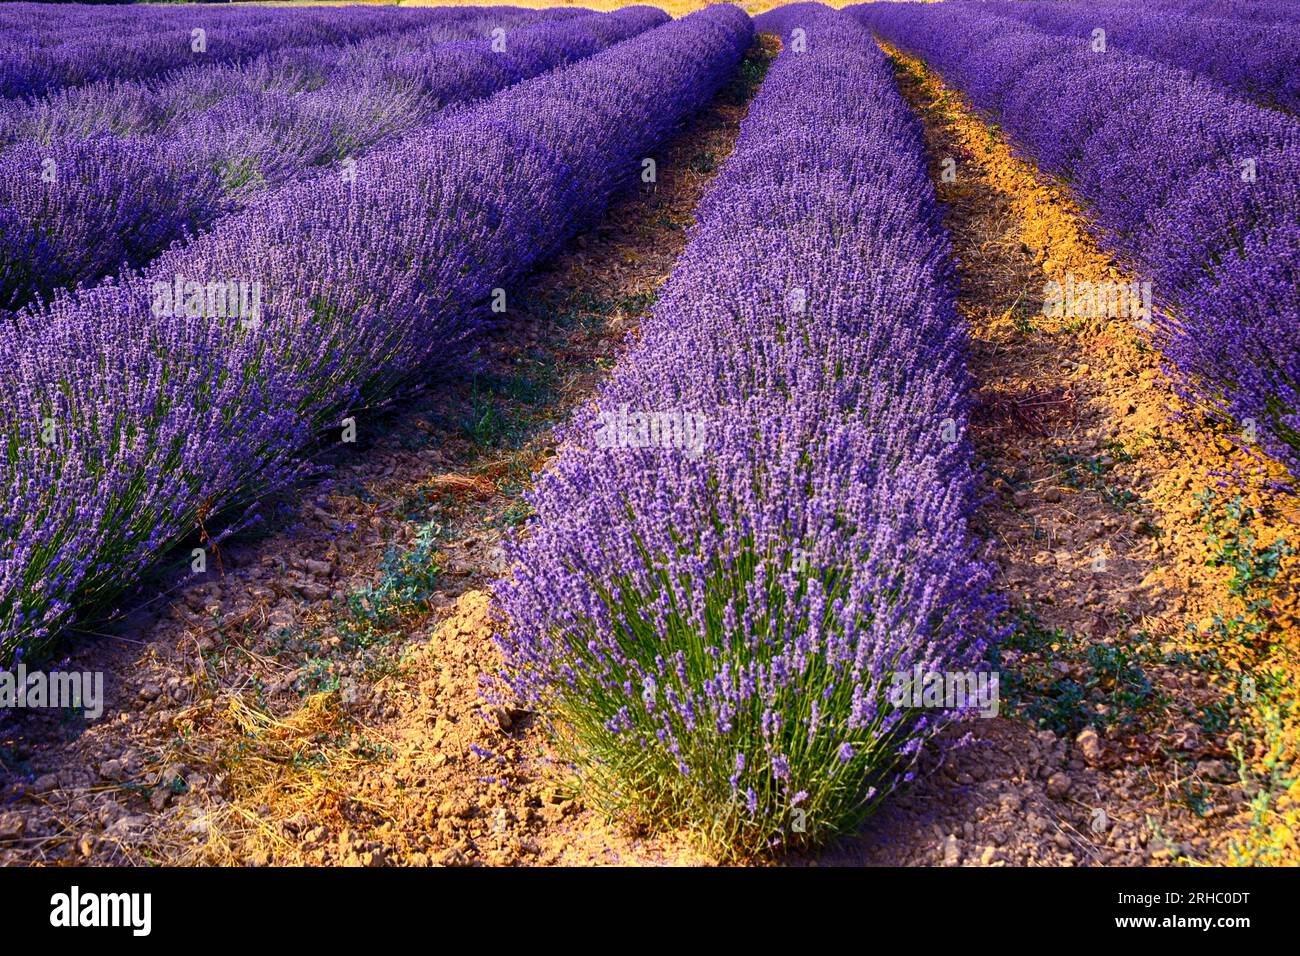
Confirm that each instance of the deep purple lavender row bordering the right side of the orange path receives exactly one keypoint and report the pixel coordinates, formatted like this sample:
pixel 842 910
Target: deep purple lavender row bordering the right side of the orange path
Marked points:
pixel 1191 187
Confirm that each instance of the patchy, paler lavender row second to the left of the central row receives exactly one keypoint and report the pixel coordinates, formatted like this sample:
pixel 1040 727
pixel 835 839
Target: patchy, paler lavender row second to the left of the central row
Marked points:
pixel 81 209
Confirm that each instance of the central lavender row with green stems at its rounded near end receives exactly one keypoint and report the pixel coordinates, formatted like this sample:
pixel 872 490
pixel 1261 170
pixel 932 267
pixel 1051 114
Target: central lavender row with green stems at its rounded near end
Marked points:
pixel 761 518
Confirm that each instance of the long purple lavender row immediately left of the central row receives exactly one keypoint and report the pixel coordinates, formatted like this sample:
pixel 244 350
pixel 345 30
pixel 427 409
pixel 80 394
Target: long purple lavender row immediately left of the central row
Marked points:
pixel 136 412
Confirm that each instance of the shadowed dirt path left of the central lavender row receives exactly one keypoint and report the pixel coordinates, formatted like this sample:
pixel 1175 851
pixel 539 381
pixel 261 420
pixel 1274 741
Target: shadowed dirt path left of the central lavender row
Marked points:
pixel 317 698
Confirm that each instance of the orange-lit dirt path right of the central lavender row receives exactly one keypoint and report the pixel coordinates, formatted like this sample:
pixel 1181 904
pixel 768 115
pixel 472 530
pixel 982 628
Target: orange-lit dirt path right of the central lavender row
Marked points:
pixel 1149 717
